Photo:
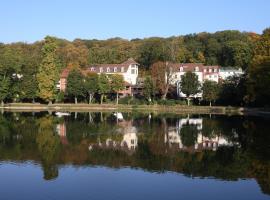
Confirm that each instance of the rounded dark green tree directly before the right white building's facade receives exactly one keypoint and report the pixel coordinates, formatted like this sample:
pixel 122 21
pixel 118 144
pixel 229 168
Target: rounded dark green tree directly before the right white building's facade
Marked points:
pixel 189 84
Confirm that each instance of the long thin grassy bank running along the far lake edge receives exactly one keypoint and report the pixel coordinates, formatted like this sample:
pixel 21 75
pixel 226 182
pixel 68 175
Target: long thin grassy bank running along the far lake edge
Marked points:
pixel 120 107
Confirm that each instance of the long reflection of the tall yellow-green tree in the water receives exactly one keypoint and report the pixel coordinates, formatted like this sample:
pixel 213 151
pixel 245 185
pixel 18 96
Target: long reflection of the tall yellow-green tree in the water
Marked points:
pixel 48 146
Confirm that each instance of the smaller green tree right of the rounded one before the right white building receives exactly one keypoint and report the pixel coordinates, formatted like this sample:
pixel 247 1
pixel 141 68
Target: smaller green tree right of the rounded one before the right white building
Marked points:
pixel 210 91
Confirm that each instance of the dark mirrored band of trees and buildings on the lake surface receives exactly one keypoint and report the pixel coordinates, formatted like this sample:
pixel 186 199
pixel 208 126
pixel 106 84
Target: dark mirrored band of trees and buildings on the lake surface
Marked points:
pixel 227 148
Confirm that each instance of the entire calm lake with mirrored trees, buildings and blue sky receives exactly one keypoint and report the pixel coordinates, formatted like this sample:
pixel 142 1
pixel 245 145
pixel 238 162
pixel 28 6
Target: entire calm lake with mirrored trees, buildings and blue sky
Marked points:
pixel 139 156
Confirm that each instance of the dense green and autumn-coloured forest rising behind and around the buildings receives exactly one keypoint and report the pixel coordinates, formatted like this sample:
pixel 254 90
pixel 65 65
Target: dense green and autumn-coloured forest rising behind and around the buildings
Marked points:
pixel 229 48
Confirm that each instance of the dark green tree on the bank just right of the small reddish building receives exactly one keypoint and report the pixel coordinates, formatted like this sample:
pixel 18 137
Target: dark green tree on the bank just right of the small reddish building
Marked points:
pixel 75 84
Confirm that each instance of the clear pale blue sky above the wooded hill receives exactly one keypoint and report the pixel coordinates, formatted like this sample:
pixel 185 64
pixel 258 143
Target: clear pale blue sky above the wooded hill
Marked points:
pixel 32 20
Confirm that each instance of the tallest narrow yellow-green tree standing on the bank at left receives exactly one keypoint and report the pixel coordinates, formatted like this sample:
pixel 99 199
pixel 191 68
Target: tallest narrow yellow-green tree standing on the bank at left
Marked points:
pixel 48 73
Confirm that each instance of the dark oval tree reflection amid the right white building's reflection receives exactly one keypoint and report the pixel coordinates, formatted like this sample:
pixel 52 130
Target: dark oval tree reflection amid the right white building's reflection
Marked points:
pixel 189 134
